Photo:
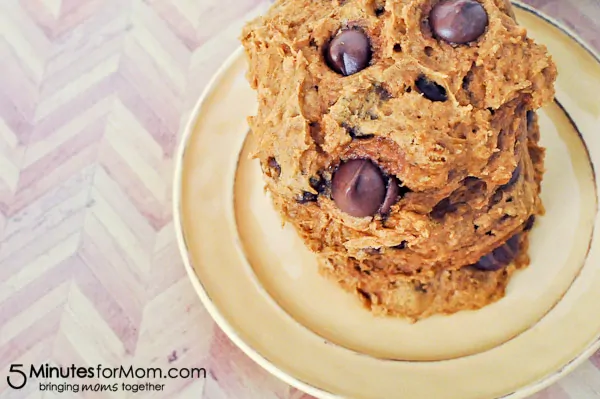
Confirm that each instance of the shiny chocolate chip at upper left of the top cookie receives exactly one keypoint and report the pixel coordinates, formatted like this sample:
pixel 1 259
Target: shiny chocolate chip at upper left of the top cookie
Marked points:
pixel 349 52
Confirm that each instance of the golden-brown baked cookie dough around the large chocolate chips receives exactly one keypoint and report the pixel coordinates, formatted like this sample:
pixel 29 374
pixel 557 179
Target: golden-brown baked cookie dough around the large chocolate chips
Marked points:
pixel 469 167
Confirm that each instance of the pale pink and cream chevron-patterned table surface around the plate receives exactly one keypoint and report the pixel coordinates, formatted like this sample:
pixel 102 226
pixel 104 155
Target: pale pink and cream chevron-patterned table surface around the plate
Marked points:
pixel 94 95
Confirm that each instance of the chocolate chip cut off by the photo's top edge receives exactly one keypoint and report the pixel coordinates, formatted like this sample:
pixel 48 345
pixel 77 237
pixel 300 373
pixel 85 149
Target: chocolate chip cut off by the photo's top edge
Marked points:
pixel 458 21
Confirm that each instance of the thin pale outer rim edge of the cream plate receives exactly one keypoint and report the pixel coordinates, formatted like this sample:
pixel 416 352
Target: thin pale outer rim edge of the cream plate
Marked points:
pixel 226 327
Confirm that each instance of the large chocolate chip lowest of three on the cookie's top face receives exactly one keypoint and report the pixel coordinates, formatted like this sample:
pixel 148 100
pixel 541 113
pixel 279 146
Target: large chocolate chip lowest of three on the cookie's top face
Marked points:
pixel 358 188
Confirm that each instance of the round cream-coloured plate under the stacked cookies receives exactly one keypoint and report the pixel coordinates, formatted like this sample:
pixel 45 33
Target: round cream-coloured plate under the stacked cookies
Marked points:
pixel 261 285
